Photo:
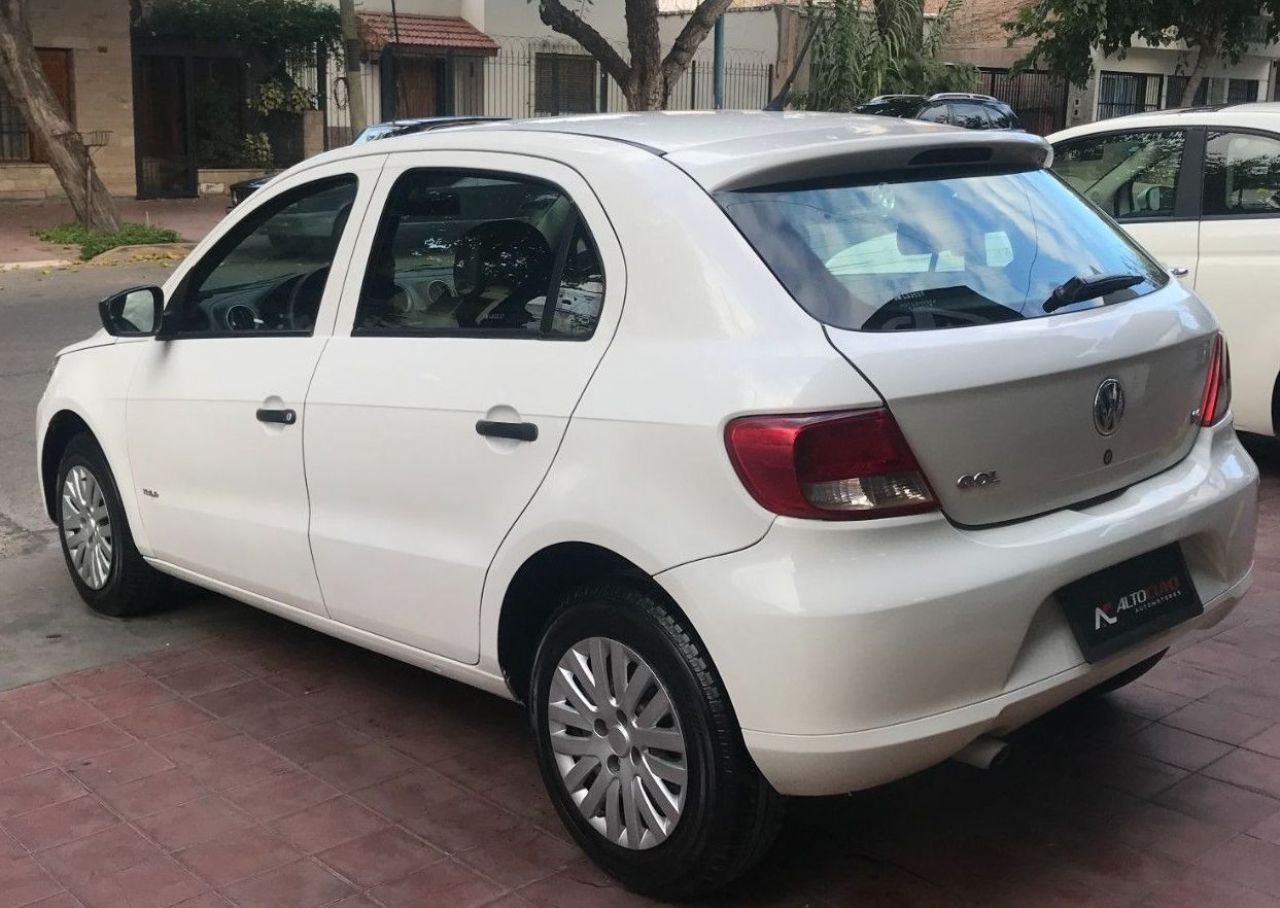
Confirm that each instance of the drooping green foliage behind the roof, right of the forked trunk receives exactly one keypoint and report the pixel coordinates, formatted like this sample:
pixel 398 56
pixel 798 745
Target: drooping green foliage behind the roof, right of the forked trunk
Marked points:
pixel 861 53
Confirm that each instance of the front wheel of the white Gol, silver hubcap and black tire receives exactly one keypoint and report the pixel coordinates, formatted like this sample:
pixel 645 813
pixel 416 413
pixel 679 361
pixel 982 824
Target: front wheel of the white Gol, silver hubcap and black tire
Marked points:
pixel 108 572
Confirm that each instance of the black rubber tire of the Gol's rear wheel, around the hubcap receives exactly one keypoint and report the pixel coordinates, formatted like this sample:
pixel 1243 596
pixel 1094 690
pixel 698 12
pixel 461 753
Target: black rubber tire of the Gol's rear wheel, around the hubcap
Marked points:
pixel 732 815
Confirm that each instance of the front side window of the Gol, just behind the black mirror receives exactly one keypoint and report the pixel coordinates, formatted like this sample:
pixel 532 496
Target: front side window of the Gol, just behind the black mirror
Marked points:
pixel 268 276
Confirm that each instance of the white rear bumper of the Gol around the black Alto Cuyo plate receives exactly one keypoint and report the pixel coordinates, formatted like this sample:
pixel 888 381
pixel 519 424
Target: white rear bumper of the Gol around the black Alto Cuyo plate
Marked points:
pixel 858 654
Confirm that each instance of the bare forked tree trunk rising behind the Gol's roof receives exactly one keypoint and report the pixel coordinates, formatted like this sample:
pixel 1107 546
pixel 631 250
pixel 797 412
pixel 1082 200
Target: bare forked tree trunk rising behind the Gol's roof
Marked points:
pixel 648 77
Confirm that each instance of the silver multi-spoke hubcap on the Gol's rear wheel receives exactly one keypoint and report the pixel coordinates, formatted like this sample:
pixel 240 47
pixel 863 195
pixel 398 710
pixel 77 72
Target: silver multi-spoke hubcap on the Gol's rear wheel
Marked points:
pixel 618 743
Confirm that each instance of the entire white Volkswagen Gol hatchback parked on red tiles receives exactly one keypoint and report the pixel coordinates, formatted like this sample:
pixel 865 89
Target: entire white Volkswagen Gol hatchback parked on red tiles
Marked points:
pixel 760 455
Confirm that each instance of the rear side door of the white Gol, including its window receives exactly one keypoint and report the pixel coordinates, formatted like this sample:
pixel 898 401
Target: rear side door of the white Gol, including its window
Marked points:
pixel 492 288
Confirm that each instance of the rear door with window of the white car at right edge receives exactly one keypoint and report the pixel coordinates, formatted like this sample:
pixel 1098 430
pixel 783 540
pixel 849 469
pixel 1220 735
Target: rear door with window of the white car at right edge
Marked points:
pixel 1240 266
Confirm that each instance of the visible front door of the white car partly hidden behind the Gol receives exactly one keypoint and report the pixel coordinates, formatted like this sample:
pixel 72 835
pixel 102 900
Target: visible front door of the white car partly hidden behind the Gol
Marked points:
pixel 1144 179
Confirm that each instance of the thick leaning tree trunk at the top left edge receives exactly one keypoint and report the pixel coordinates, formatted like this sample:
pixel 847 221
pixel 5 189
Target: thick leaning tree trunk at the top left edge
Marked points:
pixel 25 79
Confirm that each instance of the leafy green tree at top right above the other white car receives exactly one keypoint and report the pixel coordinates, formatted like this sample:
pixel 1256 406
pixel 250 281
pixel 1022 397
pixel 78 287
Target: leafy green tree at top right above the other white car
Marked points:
pixel 1066 33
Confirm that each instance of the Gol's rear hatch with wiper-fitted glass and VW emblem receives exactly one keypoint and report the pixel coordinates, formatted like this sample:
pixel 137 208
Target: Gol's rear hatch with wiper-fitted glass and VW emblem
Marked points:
pixel 1018 391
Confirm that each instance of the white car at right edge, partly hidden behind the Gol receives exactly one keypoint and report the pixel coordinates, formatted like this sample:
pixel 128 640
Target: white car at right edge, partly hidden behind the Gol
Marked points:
pixel 1200 190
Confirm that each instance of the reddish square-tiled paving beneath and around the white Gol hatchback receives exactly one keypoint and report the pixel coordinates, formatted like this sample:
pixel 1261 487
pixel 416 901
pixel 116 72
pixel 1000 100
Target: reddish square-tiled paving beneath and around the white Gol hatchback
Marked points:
pixel 272 766
